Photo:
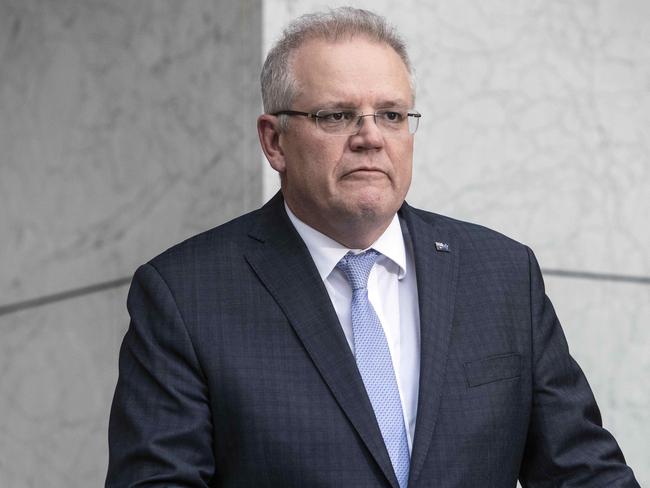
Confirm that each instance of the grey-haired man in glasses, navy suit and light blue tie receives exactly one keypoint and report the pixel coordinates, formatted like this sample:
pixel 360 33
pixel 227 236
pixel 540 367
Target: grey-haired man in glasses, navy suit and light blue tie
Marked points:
pixel 338 337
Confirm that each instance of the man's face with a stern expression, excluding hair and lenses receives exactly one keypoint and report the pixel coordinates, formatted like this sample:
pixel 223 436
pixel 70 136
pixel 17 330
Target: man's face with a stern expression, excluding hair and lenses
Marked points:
pixel 331 180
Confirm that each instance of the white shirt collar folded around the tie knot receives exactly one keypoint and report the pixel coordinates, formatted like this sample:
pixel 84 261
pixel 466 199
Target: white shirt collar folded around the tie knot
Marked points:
pixel 326 252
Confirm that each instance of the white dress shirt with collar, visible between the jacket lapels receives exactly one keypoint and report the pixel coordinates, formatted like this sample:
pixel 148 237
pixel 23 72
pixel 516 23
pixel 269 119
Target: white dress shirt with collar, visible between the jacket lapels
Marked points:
pixel 392 290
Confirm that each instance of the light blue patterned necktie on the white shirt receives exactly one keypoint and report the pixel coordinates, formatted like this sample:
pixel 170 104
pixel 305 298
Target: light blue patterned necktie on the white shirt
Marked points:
pixel 374 362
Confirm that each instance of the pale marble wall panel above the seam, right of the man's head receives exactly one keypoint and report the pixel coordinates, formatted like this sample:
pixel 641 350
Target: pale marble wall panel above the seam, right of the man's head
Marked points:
pixel 536 120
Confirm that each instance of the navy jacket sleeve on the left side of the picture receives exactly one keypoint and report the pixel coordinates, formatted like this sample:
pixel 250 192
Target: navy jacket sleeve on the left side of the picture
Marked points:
pixel 160 431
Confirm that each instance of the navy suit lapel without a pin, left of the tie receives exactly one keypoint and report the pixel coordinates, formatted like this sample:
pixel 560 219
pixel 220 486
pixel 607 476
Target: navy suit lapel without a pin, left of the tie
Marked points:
pixel 285 267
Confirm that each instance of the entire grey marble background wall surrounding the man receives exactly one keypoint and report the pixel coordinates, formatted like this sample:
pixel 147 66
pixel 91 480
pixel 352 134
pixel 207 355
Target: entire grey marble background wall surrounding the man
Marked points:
pixel 128 126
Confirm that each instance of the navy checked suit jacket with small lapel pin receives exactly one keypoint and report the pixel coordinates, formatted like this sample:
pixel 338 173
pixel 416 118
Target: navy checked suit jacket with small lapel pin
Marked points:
pixel 235 371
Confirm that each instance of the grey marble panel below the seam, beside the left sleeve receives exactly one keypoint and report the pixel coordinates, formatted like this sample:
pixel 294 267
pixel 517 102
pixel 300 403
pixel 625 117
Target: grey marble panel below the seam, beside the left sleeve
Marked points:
pixel 58 368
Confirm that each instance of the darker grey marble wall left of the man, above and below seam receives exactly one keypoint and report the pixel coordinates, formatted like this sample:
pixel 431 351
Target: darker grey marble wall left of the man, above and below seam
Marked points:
pixel 124 128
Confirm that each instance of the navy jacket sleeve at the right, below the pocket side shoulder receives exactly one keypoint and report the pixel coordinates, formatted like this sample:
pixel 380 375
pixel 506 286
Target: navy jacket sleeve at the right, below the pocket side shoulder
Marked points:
pixel 566 445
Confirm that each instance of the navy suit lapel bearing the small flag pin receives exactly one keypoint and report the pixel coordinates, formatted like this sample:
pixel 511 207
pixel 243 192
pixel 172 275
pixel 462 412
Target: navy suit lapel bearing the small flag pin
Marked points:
pixel 436 269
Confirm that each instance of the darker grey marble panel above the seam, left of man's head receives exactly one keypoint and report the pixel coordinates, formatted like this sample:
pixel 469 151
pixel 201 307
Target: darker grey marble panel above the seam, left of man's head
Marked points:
pixel 124 127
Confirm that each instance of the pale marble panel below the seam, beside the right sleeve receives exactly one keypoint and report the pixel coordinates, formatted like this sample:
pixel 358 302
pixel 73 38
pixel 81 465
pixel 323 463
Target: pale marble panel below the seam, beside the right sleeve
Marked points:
pixel 606 325
